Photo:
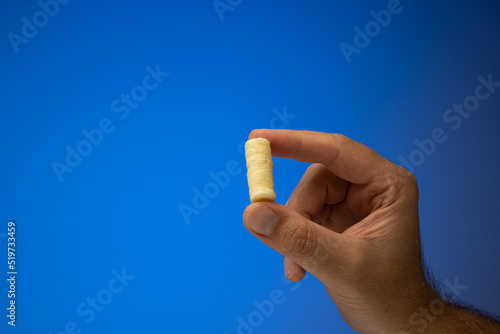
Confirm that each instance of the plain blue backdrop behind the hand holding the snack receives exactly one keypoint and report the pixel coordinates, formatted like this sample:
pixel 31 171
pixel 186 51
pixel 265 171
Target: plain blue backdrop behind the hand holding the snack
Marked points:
pixel 119 208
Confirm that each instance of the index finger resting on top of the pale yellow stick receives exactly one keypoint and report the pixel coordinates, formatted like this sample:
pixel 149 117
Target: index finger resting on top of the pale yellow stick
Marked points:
pixel 343 156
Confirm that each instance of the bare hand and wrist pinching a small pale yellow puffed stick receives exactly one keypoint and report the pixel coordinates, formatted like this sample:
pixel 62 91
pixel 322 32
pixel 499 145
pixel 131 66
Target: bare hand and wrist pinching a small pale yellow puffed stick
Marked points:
pixel 352 222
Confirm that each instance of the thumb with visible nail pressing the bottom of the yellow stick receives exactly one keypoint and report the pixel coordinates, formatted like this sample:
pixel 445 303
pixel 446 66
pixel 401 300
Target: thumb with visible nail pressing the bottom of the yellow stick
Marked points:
pixel 314 247
